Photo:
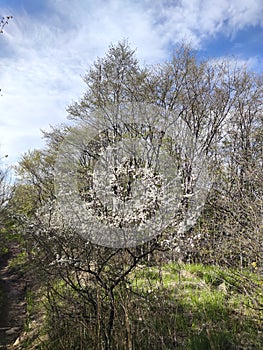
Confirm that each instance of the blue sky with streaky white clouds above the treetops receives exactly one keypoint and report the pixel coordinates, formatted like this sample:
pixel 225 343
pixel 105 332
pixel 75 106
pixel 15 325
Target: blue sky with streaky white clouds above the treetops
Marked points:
pixel 50 44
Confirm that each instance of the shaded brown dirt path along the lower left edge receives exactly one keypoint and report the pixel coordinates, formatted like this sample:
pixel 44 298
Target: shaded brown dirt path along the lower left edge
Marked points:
pixel 12 301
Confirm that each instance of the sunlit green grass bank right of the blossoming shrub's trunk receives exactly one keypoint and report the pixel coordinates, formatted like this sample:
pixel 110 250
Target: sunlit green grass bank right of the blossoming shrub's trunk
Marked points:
pixel 209 307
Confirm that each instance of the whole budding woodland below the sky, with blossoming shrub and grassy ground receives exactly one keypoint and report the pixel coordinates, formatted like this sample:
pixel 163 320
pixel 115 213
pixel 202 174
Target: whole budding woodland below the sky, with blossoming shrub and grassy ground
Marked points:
pixel 139 225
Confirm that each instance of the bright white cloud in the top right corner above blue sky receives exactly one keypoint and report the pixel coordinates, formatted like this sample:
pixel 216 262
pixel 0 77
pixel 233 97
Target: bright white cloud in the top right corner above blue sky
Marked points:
pixel 197 19
